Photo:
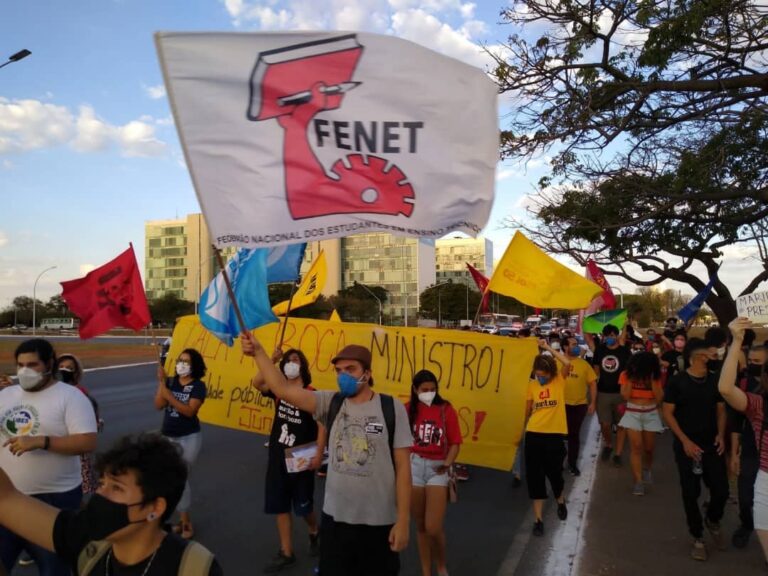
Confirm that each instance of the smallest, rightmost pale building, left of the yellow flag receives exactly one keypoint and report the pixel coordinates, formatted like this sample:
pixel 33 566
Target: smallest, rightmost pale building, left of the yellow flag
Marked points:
pixel 453 254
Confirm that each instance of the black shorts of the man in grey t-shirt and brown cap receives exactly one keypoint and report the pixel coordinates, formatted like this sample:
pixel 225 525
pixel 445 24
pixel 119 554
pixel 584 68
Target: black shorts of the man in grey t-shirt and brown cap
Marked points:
pixel 356 550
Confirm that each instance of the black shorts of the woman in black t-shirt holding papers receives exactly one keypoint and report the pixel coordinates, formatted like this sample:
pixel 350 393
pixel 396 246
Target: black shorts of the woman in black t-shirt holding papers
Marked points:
pixel 284 491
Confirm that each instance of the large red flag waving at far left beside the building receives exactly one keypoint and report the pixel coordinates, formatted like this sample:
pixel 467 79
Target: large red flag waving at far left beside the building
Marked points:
pixel 109 296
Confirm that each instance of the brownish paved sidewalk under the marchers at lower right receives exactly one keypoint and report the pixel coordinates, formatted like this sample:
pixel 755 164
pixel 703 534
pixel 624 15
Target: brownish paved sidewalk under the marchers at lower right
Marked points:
pixel 627 535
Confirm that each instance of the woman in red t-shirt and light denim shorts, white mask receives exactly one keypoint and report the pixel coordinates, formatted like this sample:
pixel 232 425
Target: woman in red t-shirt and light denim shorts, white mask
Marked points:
pixel 436 442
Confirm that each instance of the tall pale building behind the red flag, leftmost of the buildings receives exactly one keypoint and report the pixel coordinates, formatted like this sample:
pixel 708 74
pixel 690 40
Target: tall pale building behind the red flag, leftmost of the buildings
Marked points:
pixel 178 257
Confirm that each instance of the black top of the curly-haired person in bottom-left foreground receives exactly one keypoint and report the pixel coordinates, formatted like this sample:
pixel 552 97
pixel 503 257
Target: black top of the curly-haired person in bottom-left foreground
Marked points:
pixel 69 539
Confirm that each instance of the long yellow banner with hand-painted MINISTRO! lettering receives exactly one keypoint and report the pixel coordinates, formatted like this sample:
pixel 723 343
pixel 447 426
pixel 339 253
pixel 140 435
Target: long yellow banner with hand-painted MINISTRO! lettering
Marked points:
pixel 483 376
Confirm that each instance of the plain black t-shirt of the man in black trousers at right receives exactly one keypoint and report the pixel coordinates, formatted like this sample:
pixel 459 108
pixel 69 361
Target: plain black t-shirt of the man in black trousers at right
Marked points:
pixel 695 401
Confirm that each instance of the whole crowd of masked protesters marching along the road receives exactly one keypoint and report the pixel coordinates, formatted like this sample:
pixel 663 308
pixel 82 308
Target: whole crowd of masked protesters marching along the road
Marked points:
pixel 388 464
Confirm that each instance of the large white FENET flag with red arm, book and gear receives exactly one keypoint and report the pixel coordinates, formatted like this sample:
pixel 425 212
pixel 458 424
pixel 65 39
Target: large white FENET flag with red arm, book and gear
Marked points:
pixel 300 136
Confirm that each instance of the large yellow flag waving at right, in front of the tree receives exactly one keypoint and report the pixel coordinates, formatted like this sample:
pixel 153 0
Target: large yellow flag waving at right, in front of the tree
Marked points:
pixel 530 276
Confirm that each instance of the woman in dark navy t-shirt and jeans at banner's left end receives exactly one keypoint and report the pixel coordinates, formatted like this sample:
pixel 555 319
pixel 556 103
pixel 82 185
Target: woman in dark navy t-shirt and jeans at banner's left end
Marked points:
pixel 181 397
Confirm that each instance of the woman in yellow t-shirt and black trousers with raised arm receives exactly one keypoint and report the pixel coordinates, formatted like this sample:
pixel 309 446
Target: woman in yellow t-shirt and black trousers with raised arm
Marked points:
pixel 545 432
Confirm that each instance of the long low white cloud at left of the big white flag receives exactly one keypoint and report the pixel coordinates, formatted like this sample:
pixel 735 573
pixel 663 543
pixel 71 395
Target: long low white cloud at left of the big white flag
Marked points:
pixel 27 125
